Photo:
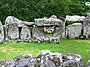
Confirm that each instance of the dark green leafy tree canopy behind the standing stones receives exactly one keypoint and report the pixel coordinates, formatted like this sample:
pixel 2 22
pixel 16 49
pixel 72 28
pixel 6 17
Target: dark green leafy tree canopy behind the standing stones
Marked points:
pixel 27 10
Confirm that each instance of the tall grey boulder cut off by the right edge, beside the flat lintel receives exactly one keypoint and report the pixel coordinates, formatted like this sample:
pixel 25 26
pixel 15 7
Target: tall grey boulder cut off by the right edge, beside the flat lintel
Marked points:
pixel 86 27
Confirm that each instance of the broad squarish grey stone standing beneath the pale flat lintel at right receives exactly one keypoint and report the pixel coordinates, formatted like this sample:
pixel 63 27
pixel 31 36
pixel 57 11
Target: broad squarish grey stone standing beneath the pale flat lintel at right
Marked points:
pixel 74 30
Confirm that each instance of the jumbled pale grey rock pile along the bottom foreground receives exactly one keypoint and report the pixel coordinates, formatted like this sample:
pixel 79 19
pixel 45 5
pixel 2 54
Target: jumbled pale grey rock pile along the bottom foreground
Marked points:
pixel 44 59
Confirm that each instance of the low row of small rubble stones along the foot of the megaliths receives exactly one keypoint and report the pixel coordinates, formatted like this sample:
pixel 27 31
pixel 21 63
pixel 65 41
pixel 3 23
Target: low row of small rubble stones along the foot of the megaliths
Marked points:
pixel 38 40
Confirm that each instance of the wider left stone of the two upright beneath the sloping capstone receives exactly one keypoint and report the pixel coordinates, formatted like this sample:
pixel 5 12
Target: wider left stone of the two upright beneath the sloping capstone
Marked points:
pixel 13 32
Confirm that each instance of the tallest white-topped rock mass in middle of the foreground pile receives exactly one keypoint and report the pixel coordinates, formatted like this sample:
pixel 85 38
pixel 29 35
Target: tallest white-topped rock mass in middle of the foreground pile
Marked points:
pixel 53 58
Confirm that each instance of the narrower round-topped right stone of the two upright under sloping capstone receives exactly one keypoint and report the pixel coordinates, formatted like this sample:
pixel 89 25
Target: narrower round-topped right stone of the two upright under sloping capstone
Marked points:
pixel 25 33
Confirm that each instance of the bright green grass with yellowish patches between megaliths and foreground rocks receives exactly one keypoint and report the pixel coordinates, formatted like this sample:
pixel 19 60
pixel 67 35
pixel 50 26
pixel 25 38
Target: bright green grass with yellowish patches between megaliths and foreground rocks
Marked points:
pixel 9 50
